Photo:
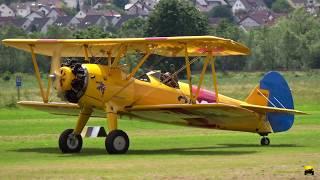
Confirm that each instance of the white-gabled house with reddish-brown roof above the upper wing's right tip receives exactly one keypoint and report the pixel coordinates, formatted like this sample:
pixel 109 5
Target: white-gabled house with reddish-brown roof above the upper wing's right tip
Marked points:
pixel 258 18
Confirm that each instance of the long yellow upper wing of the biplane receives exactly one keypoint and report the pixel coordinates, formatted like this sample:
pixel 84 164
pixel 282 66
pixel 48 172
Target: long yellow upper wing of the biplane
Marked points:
pixel 164 46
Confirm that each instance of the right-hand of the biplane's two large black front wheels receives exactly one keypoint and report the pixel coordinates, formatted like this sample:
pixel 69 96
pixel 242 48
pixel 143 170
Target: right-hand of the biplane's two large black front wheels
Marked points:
pixel 117 142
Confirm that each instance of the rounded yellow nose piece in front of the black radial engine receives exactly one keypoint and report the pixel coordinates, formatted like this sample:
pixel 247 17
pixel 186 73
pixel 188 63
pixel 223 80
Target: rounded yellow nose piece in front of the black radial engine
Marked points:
pixel 66 77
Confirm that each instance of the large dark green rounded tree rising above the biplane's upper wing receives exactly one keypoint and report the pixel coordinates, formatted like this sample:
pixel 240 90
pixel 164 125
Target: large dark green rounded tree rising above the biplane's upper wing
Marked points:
pixel 176 18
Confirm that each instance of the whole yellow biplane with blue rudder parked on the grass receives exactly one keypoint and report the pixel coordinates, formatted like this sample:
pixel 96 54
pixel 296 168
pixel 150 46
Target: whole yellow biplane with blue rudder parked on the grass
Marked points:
pixel 107 90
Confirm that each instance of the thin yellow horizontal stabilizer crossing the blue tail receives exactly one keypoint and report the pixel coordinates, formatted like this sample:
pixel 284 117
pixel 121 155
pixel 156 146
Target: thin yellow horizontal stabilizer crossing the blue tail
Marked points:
pixel 266 109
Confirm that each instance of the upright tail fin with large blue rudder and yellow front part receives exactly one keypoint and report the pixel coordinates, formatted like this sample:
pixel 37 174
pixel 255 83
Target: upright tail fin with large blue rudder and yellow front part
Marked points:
pixel 273 91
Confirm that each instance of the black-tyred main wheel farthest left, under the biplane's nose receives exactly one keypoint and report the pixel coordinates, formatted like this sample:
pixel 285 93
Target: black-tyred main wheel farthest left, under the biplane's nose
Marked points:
pixel 69 142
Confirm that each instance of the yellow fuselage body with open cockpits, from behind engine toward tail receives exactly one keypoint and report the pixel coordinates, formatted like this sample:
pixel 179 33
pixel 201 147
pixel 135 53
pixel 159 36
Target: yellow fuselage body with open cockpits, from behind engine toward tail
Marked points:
pixel 111 84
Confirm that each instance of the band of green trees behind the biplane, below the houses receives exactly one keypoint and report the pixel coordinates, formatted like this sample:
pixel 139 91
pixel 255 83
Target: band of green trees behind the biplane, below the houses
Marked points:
pixel 292 43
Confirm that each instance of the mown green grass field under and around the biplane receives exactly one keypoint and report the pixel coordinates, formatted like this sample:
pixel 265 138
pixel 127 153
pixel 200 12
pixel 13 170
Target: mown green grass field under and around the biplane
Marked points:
pixel 29 147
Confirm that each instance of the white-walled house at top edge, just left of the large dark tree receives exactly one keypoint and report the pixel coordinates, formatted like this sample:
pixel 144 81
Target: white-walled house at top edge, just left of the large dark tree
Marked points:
pixel 139 7
